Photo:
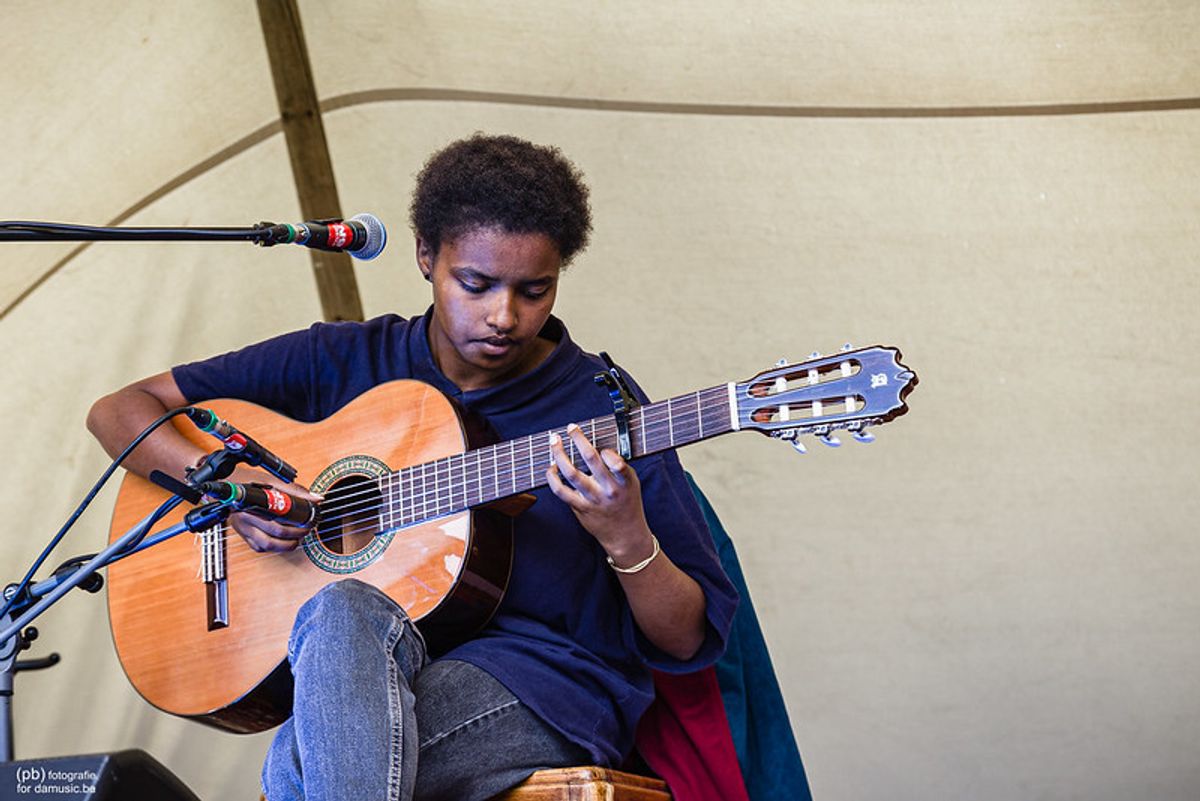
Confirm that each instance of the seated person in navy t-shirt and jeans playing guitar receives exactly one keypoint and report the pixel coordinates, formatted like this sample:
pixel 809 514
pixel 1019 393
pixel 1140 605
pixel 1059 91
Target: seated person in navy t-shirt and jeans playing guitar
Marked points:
pixel 614 570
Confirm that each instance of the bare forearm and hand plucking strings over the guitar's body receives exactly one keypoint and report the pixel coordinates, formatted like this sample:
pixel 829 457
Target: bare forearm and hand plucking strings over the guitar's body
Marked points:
pixel 117 419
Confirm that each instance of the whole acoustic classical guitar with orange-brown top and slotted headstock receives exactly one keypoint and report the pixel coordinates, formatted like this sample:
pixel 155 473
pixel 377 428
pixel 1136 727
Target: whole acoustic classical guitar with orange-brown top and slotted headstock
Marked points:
pixel 415 507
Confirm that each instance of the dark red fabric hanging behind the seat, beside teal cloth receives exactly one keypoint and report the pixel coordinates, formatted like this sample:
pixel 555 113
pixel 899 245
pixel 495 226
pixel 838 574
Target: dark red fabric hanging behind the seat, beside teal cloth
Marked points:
pixel 686 738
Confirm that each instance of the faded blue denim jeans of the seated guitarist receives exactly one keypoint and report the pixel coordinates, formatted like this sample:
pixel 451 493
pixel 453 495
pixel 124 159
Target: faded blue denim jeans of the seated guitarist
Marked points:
pixel 373 719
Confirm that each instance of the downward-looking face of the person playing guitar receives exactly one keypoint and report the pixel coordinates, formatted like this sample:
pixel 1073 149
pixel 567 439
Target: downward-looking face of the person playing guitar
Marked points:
pixel 493 293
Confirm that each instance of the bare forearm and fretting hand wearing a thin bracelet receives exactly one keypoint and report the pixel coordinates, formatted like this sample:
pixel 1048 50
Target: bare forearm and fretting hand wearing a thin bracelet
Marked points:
pixel 668 605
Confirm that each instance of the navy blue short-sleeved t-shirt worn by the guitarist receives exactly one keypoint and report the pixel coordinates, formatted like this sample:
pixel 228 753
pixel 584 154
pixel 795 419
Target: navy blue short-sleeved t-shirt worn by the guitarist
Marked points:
pixel 563 640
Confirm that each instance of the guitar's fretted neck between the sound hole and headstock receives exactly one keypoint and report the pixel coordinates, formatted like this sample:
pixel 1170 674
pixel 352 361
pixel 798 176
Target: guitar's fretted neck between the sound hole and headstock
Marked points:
pixel 484 475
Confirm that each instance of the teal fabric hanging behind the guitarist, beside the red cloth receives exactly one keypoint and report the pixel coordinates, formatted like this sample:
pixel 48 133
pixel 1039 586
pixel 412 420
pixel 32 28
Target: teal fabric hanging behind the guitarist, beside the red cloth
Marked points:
pixel 754 704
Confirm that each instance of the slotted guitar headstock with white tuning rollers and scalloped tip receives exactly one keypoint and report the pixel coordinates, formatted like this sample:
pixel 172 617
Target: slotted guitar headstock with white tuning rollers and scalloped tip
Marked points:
pixel 851 392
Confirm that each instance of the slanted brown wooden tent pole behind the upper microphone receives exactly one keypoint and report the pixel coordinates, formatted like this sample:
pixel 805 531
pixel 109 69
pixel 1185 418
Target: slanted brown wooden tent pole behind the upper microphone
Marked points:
pixel 311 166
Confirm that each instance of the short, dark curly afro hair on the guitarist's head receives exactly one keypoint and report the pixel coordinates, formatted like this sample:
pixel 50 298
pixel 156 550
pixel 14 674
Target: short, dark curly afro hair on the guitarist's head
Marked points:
pixel 501 182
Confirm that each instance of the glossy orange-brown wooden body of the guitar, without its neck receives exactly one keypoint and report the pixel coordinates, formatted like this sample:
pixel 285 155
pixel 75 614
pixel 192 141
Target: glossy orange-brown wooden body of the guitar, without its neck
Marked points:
pixel 448 574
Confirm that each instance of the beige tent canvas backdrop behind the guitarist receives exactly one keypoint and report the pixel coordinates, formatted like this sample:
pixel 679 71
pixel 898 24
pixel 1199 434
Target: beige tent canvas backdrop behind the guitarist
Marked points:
pixel 995 600
